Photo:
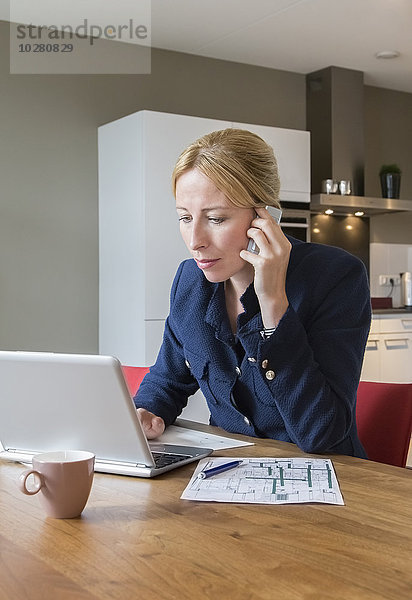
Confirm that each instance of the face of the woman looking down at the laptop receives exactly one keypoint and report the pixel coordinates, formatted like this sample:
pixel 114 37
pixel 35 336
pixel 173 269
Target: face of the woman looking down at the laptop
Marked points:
pixel 212 228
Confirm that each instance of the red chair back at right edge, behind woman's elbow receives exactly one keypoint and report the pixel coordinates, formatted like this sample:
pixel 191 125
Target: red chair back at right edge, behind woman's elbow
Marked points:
pixel 384 420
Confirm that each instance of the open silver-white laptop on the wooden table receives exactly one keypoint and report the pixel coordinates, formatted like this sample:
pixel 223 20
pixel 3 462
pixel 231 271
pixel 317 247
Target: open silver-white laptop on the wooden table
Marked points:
pixel 78 402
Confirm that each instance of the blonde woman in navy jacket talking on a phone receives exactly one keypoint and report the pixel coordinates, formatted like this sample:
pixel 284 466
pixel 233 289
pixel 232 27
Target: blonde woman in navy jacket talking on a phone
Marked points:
pixel 275 340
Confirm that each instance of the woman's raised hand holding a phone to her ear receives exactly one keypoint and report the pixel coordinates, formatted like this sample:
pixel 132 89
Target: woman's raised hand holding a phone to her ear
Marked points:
pixel 270 266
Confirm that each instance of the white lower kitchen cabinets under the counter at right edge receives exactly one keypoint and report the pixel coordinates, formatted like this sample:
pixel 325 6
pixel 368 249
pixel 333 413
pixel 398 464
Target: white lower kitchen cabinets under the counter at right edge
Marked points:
pixel 388 354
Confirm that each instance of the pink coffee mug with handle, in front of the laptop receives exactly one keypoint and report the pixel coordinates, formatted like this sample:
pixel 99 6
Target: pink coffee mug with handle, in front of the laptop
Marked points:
pixel 64 479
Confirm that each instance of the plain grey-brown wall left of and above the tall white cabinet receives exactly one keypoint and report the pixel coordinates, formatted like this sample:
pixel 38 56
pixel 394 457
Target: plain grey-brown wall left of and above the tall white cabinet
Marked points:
pixel 48 171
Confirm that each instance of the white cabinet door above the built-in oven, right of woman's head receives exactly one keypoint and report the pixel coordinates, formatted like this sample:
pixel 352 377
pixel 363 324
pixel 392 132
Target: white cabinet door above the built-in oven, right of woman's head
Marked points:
pixel 292 151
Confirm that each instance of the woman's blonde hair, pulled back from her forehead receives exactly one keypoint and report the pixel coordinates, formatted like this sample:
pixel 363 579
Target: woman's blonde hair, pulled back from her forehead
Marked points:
pixel 240 164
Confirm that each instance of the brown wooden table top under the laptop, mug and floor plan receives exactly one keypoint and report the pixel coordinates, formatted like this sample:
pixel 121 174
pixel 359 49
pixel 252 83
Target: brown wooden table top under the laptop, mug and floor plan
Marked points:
pixel 137 539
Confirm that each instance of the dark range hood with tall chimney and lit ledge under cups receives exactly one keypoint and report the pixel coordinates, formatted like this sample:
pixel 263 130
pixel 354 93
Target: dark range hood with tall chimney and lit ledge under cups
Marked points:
pixel 335 105
